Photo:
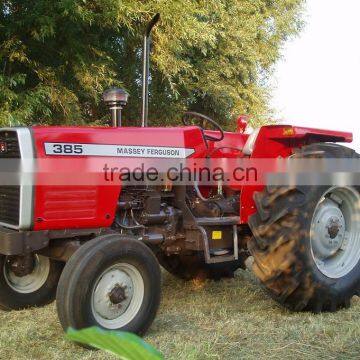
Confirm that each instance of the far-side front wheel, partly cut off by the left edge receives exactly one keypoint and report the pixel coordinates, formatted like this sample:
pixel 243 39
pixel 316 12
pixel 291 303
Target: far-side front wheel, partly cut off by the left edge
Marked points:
pixel 28 281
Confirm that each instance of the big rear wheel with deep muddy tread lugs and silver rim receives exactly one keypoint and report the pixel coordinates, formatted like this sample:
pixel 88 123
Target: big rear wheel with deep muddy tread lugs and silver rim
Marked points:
pixel 306 243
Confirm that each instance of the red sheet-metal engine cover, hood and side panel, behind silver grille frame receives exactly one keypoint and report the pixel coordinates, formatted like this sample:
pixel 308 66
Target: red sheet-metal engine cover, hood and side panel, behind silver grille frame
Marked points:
pixel 71 191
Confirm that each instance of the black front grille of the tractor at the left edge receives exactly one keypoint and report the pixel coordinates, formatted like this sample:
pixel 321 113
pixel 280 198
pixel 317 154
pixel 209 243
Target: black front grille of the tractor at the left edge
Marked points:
pixel 9 195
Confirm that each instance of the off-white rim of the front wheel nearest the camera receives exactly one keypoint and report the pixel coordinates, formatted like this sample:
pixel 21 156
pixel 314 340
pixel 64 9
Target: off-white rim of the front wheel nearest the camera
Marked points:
pixel 117 296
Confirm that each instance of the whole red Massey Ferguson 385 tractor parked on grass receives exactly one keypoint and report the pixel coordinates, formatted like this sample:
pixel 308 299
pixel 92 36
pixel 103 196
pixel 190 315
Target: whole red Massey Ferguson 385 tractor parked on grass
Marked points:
pixel 98 248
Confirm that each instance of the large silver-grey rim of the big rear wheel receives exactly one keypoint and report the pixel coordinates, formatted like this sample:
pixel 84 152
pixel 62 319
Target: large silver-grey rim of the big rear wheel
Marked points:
pixel 335 232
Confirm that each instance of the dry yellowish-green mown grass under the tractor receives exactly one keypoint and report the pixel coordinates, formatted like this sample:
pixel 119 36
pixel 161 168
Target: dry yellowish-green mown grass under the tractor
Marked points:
pixel 231 319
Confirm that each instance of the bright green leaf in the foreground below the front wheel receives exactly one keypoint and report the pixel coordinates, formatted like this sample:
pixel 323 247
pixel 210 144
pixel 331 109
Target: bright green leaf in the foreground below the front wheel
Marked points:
pixel 126 345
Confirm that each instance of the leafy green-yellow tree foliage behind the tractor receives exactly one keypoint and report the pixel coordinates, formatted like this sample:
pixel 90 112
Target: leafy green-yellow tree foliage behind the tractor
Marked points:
pixel 212 56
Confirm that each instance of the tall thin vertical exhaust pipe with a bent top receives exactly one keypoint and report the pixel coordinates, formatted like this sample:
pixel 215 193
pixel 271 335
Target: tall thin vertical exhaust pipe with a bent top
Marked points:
pixel 146 70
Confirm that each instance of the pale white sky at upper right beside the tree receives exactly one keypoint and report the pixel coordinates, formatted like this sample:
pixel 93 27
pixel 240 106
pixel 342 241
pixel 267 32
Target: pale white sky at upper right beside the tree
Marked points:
pixel 317 82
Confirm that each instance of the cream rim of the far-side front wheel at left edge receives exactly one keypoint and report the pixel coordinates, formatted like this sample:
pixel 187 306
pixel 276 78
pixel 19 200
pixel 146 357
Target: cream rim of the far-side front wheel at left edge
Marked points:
pixel 29 283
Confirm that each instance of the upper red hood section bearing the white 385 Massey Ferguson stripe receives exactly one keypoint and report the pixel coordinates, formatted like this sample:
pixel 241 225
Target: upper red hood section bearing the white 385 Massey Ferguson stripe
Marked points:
pixel 157 142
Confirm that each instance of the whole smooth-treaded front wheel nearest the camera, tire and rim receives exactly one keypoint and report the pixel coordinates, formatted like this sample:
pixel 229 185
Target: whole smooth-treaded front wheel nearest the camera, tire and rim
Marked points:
pixel 113 282
